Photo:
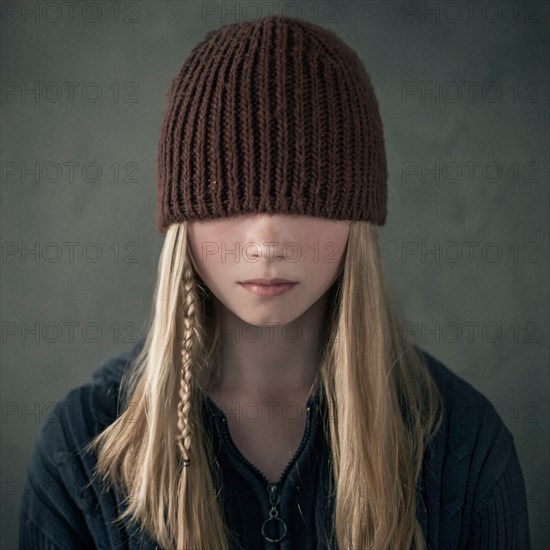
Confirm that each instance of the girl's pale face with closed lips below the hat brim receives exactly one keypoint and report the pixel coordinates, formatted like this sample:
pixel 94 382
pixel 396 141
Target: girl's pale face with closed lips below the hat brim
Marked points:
pixel 306 250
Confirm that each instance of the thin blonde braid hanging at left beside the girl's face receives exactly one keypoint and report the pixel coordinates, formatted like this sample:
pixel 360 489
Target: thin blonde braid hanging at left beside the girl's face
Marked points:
pixel 184 428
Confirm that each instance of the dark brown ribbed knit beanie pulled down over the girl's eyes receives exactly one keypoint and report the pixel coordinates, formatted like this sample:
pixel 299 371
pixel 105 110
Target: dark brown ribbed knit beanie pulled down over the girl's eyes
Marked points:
pixel 276 115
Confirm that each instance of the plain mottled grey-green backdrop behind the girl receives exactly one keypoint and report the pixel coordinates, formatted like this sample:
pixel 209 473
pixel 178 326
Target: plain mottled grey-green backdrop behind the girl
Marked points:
pixel 500 46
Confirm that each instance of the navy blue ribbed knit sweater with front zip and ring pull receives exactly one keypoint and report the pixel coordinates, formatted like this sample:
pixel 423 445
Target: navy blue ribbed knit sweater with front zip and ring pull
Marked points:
pixel 471 493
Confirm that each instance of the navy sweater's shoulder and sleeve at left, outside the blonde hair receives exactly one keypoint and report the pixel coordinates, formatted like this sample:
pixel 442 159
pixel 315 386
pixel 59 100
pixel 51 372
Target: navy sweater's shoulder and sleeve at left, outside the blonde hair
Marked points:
pixel 58 502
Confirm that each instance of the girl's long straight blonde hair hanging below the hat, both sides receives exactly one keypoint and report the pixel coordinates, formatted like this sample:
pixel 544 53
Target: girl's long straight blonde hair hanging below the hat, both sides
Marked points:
pixel 383 408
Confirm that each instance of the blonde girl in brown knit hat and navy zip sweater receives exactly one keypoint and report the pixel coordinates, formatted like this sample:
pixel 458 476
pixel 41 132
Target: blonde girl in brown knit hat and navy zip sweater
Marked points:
pixel 275 402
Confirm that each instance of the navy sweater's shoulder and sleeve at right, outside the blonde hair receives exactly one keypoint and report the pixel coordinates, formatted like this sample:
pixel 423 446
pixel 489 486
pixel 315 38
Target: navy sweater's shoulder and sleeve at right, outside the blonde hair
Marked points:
pixel 472 469
